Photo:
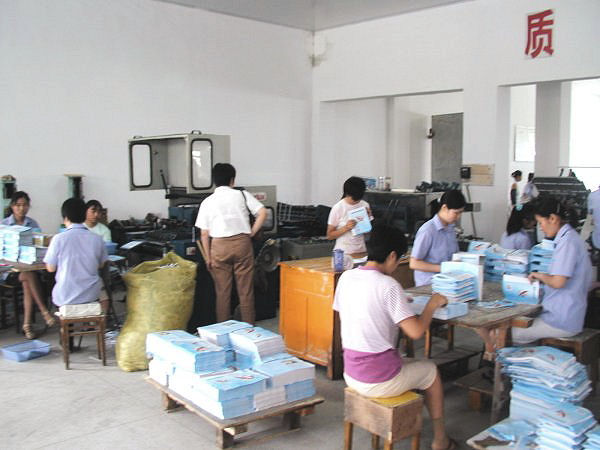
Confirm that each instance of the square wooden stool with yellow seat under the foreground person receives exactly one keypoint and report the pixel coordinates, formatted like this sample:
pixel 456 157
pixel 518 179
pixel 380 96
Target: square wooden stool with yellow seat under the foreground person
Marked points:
pixel 393 418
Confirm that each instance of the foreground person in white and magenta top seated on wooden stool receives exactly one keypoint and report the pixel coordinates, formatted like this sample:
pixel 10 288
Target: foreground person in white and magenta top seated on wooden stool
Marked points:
pixel 372 308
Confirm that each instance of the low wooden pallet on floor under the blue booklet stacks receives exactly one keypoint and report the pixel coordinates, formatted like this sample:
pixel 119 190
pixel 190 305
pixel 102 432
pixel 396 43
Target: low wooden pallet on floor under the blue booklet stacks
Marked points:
pixel 228 429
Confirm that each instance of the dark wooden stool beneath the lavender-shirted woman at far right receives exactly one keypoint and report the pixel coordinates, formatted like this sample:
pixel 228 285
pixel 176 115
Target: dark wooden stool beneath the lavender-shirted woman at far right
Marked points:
pixel 586 348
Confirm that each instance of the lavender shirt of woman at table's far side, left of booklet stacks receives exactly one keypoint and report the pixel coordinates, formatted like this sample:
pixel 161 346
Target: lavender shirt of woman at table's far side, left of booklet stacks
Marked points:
pixel 434 243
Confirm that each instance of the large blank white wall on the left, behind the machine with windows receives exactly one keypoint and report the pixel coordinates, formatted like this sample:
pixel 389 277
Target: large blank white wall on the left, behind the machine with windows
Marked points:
pixel 81 77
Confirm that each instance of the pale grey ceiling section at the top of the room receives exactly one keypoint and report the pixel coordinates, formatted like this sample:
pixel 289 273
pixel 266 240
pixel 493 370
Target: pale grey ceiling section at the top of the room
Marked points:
pixel 313 15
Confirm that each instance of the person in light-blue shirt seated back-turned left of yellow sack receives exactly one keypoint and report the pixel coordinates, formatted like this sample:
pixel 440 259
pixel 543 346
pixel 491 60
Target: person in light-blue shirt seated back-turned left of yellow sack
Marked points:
pixel 76 255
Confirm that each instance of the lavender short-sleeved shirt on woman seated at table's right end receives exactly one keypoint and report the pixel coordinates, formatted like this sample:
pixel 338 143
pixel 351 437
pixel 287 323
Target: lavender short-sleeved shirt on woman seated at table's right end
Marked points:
pixel 565 308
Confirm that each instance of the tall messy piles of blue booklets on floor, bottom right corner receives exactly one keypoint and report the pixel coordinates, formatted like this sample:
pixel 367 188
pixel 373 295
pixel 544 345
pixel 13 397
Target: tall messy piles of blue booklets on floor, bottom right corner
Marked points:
pixel 549 386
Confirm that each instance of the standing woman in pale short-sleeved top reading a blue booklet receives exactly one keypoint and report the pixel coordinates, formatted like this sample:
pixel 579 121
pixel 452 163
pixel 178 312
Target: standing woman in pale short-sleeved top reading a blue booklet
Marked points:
pixel 339 224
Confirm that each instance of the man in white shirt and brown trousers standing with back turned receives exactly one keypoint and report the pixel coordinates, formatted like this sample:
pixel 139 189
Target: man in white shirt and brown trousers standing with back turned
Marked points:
pixel 226 241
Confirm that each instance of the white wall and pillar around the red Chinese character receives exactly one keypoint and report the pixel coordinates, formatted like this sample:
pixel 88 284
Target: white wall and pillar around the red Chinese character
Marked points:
pixel 474 47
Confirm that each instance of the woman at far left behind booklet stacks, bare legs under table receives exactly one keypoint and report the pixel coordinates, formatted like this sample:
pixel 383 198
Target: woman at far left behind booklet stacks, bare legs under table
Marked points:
pixel 32 292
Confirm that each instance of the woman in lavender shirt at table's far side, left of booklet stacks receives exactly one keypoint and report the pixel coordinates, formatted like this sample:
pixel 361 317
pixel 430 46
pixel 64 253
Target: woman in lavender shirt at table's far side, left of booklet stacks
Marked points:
pixel 436 241
